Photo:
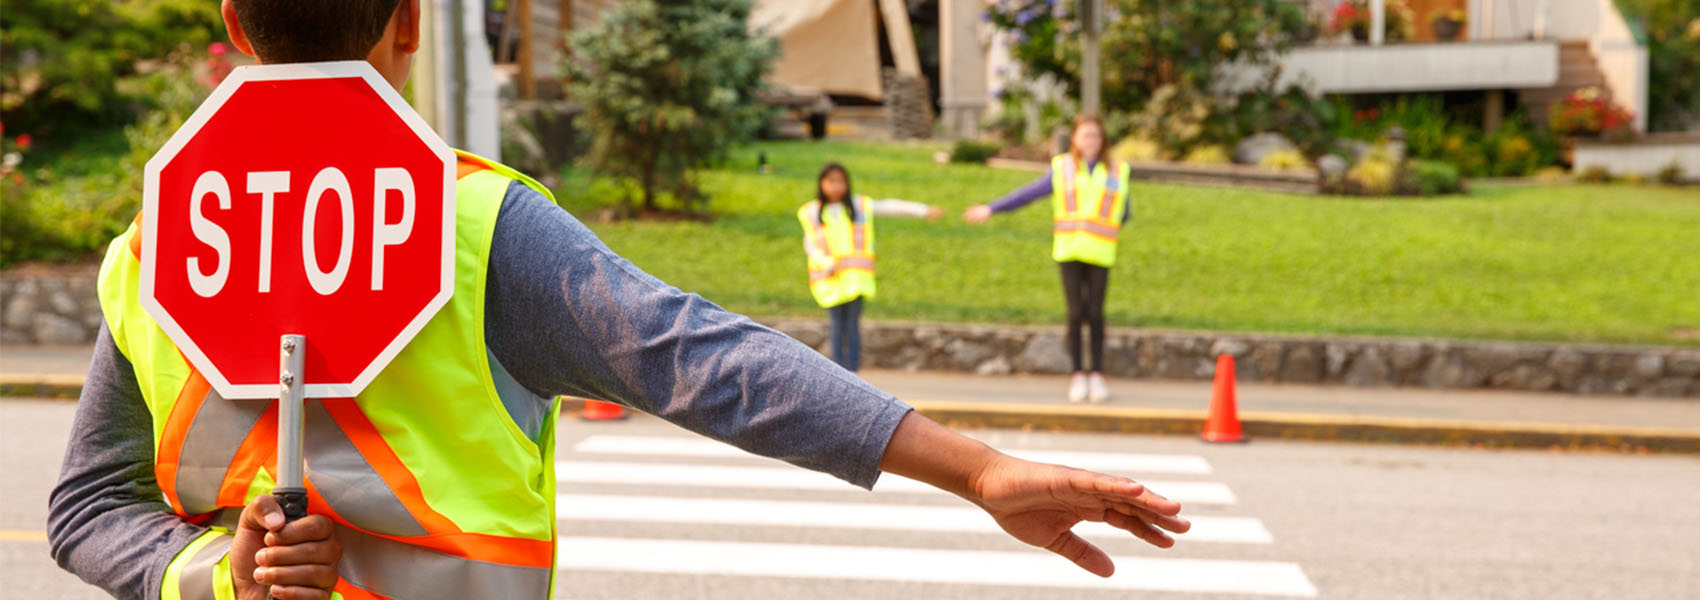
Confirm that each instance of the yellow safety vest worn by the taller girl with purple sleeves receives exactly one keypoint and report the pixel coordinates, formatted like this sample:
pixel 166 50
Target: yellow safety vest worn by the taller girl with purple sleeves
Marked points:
pixel 1087 208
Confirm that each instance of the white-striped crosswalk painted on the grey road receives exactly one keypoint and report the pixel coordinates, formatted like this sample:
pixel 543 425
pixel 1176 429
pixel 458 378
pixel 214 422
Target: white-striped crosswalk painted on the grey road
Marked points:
pixel 898 535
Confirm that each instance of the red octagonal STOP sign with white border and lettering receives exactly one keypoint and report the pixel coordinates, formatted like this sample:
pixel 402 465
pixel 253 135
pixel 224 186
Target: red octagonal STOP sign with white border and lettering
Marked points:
pixel 298 200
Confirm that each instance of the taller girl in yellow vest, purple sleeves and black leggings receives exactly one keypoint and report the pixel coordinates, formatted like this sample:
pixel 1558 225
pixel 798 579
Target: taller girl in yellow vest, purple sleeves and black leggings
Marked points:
pixel 1089 203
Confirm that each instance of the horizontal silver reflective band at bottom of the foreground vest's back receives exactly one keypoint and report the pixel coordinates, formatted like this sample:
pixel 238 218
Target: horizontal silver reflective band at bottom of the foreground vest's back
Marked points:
pixel 407 572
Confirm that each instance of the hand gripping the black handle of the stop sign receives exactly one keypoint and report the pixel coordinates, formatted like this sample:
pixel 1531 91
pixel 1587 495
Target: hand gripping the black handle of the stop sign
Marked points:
pixel 295 562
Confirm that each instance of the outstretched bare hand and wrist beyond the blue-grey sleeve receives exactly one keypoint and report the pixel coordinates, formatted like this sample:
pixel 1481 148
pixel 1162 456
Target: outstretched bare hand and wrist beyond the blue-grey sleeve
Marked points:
pixel 1038 504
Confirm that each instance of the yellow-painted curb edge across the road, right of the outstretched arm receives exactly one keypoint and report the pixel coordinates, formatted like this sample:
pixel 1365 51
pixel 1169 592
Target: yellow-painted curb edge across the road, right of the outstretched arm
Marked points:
pixel 1318 427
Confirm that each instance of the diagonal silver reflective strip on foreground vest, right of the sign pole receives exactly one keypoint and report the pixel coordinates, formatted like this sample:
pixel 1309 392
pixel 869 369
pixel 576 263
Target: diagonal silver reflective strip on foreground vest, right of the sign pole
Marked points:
pixel 348 484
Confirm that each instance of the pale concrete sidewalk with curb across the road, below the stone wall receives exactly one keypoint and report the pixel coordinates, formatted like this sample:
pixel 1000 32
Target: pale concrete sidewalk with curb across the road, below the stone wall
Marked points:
pixel 1167 407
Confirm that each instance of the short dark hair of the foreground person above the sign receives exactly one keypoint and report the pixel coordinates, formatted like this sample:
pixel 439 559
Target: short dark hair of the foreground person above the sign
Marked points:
pixel 307 31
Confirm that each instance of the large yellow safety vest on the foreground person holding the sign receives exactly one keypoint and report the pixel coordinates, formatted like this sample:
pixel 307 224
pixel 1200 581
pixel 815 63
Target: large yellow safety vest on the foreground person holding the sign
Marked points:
pixel 434 489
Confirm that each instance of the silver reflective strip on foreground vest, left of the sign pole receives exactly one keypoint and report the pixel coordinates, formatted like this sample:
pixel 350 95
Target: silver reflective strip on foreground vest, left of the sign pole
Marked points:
pixel 210 446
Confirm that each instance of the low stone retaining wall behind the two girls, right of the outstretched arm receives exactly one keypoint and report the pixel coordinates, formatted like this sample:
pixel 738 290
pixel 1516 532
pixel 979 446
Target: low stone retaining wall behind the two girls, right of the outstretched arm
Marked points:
pixel 1352 361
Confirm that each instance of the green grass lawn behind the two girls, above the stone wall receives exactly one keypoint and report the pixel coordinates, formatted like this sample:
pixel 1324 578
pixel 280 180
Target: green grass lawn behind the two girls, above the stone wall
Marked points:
pixel 1572 263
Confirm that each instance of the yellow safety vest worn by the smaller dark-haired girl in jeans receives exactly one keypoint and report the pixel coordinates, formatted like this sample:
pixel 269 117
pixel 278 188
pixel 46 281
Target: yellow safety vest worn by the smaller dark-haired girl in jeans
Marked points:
pixel 841 252
